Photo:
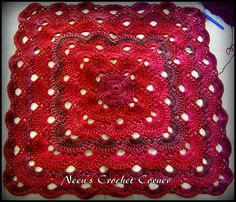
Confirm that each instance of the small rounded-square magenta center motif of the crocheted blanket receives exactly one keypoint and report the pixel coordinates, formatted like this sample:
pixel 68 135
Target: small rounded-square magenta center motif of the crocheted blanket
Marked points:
pixel 116 89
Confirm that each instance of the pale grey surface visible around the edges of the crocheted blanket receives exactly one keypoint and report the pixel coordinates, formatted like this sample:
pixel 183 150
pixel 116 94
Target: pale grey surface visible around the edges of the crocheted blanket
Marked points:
pixel 219 41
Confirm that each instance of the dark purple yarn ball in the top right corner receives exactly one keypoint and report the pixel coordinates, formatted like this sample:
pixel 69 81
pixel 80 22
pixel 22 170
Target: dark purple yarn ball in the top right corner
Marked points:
pixel 223 9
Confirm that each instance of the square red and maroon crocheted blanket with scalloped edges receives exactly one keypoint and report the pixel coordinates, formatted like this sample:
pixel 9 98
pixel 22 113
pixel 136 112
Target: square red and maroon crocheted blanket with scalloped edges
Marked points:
pixel 115 100
